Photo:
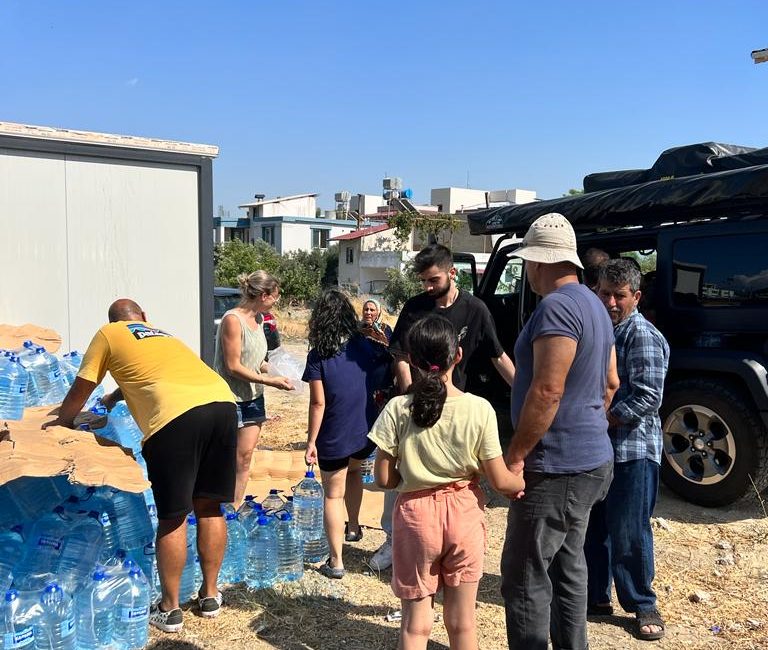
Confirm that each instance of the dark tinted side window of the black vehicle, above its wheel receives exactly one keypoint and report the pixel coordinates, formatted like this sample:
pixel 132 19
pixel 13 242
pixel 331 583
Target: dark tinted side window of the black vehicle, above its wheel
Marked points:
pixel 723 271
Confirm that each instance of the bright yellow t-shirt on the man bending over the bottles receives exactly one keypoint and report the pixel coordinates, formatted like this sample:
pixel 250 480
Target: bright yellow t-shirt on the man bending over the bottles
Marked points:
pixel 160 377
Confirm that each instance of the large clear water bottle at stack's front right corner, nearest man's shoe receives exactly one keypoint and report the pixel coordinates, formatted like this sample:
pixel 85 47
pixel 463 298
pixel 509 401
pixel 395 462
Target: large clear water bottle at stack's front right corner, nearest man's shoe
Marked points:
pixel 132 611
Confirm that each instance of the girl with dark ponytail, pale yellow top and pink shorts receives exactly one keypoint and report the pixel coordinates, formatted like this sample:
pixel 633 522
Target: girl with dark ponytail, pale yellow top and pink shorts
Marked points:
pixel 433 443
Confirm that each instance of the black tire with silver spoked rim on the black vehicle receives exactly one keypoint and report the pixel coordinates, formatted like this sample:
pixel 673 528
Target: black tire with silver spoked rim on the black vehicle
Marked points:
pixel 714 443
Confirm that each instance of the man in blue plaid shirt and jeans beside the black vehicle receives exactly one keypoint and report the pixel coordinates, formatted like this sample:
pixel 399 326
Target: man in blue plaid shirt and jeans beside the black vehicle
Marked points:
pixel 619 542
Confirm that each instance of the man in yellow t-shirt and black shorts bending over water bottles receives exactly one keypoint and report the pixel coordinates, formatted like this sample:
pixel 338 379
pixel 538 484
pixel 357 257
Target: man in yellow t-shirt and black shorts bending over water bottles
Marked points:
pixel 189 420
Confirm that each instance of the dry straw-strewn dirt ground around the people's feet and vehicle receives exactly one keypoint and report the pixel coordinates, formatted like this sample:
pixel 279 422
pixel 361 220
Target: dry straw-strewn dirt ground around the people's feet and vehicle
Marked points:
pixel 718 557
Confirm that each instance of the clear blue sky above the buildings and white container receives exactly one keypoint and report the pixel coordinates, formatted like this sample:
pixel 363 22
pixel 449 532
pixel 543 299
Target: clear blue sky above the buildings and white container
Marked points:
pixel 323 96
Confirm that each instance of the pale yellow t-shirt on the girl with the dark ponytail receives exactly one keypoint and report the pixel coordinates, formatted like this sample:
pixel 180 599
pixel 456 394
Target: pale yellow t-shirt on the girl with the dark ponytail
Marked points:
pixel 448 451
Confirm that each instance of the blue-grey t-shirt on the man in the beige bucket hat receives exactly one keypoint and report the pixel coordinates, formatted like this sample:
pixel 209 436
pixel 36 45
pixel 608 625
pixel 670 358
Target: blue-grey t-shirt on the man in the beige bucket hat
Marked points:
pixel 578 439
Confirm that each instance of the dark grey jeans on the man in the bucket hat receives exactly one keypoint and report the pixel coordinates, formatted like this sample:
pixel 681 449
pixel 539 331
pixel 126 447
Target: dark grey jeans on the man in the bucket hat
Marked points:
pixel 543 572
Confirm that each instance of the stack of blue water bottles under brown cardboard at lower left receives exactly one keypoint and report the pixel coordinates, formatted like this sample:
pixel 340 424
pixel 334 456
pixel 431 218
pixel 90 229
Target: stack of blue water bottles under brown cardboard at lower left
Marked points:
pixel 79 576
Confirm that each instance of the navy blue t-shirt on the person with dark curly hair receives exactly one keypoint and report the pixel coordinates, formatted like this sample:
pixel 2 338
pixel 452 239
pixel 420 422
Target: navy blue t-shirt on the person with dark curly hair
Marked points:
pixel 344 428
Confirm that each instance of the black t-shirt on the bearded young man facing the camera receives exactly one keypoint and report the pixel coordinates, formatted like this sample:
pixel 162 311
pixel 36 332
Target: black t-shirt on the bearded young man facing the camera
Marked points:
pixel 470 317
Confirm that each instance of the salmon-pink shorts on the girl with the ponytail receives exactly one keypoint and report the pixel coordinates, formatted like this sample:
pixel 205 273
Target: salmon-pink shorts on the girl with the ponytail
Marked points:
pixel 437 539
